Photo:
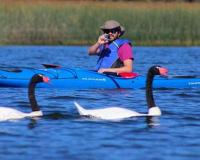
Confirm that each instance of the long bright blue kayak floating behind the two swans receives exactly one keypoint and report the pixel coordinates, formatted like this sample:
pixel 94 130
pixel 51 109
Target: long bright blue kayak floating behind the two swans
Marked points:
pixel 76 78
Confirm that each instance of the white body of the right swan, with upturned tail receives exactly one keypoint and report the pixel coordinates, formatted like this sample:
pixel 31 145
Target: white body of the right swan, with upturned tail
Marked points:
pixel 114 113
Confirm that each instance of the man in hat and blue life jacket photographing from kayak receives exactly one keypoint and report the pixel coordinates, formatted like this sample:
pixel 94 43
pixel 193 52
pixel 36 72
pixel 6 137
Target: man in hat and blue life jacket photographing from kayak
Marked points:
pixel 115 54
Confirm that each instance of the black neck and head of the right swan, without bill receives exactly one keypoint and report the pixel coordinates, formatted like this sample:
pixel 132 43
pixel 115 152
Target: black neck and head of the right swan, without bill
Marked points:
pixel 149 91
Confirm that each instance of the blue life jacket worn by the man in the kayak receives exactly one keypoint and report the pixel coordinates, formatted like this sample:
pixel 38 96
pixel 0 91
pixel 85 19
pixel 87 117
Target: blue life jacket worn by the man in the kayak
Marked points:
pixel 108 57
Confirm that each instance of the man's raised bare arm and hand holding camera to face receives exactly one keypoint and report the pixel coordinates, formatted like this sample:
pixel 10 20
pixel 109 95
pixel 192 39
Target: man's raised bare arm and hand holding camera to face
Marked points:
pixel 94 49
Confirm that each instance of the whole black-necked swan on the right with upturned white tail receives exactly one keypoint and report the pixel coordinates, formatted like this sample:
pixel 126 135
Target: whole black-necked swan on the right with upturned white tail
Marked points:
pixel 118 113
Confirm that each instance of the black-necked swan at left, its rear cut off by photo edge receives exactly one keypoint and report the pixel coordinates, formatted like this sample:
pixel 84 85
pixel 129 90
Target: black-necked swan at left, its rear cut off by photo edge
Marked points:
pixel 7 113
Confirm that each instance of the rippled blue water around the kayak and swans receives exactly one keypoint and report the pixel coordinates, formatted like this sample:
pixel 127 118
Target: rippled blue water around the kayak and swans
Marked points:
pixel 62 134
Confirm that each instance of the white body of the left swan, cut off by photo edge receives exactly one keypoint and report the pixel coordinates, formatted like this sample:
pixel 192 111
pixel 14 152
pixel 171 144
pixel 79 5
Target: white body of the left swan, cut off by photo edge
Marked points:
pixel 13 114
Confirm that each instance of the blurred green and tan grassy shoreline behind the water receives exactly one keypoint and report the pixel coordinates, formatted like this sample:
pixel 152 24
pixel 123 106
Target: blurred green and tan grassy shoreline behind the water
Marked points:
pixel 77 23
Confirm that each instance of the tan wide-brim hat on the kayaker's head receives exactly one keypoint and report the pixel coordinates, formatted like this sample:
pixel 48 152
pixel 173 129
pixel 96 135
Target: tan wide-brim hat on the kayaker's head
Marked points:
pixel 111 24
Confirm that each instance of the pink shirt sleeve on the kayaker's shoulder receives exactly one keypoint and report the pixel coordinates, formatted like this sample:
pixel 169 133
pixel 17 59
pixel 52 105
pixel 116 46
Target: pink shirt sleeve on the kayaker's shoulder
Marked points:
pixel 125 52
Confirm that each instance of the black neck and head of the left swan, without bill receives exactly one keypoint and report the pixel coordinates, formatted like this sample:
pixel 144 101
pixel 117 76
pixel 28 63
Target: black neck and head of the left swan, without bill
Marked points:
pixel 31 91
